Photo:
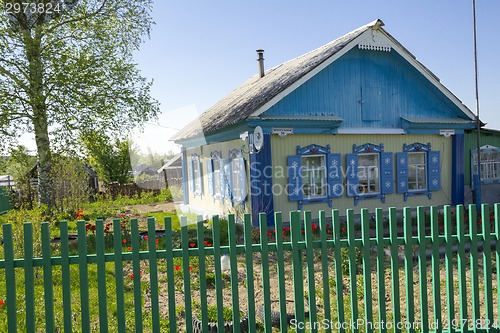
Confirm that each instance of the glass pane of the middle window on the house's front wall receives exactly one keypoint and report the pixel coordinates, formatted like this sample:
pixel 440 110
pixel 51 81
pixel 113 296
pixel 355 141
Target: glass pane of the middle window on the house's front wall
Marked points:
pixel 368 173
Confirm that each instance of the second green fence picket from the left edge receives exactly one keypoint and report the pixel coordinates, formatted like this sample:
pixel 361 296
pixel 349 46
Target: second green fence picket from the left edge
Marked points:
pixel 29 279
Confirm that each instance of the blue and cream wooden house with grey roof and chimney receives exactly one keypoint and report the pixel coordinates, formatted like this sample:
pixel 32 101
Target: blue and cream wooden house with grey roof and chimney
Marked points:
pixel 357 123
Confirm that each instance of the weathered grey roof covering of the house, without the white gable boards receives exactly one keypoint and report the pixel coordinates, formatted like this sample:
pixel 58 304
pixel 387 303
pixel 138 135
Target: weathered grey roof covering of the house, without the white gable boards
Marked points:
pixel 253 94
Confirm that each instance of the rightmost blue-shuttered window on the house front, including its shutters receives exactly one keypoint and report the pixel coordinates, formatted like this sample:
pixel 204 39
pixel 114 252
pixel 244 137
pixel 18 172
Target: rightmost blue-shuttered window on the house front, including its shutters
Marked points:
pixel 418 170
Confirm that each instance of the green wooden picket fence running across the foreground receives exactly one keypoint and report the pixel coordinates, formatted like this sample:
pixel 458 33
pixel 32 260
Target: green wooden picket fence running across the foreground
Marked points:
pixel 428 270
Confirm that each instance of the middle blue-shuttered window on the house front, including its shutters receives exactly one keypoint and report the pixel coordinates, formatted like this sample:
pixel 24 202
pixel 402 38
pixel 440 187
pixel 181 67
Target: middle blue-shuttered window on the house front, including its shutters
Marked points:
pixel 369 172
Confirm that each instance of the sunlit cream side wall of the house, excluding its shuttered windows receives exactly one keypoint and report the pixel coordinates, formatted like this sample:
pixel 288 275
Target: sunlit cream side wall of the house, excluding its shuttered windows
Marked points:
pixel 206 204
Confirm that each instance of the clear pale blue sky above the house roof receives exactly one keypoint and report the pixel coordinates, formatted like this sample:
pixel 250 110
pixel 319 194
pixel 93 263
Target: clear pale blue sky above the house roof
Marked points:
pixel 200 50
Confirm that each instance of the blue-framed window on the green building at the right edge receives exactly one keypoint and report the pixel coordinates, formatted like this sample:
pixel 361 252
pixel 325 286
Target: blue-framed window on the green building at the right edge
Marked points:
pixel 490 164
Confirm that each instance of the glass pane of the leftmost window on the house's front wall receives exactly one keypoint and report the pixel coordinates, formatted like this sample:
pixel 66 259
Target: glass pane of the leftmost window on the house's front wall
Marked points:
pixel 314 176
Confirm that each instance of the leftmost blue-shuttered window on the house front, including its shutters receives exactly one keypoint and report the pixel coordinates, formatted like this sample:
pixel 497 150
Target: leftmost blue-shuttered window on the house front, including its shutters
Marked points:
pixel 314 175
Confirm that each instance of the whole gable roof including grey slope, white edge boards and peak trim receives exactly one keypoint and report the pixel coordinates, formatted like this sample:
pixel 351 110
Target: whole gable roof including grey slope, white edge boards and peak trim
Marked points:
pixel 258 94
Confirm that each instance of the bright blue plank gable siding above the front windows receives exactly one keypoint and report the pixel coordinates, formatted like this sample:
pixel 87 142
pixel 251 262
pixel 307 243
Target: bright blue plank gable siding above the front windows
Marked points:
pixel 367 89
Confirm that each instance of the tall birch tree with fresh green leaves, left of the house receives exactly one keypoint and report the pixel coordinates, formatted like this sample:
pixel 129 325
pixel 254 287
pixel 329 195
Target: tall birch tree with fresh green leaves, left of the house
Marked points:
pixel 66 70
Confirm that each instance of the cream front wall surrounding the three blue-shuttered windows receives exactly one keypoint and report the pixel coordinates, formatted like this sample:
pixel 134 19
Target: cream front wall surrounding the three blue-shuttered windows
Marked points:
pixel 284 146
